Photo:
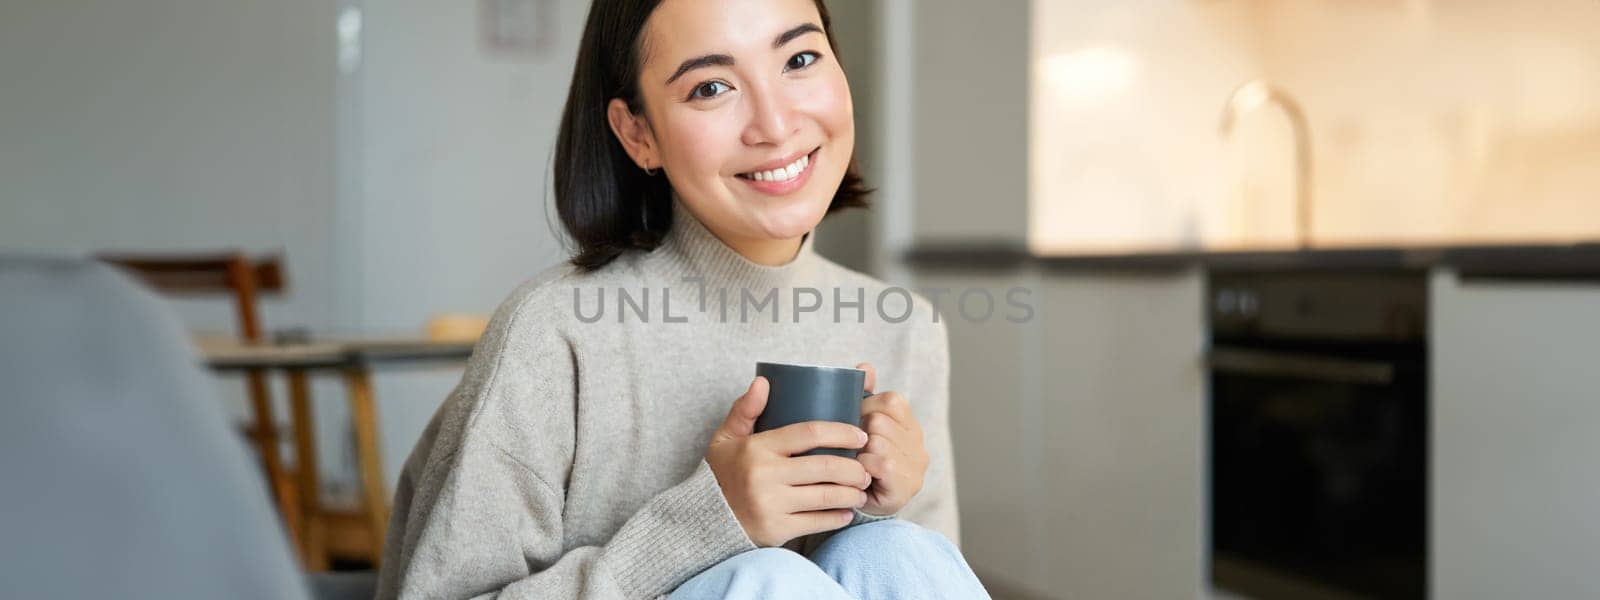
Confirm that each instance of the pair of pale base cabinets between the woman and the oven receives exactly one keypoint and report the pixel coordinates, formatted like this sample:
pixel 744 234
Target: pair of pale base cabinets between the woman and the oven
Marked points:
pixel 1079 436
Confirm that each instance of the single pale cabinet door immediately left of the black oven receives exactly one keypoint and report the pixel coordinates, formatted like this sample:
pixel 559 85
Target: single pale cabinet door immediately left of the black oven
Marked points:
pixel 1122 407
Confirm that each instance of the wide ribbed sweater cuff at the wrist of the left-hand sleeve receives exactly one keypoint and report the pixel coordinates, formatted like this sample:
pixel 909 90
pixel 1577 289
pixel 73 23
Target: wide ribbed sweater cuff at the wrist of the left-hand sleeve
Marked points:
pixel 682 532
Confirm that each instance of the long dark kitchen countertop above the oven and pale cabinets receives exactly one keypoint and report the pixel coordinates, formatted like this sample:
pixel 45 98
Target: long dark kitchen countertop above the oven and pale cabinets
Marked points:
pixel 1580 262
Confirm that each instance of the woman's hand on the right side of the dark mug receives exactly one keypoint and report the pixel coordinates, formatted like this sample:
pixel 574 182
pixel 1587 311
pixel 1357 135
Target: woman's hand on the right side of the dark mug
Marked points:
pixel 895 455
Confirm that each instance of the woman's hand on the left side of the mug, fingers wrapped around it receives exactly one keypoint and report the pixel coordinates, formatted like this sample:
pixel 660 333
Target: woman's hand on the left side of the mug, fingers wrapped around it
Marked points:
pixel 780 497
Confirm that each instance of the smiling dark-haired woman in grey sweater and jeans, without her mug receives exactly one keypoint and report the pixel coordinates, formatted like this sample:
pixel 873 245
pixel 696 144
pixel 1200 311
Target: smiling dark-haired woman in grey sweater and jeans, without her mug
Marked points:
pixel 596 455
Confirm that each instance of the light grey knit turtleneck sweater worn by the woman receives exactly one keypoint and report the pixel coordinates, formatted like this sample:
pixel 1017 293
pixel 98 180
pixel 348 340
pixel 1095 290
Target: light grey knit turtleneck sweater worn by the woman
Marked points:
pixel 570 460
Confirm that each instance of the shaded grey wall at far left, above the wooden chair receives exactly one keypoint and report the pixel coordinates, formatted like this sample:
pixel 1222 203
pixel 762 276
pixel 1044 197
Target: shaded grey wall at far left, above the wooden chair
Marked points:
pixel 177 126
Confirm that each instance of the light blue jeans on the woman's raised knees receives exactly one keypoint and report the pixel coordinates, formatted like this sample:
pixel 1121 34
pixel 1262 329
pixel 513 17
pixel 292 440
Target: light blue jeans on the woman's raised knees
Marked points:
pixel 889 561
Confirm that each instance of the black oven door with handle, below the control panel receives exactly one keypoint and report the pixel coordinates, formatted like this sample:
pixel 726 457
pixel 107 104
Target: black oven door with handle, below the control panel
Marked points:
pixel 1319 471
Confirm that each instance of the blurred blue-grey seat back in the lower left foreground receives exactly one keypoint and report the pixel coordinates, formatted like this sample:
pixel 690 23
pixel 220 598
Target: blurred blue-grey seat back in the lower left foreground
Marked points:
pixel 119 474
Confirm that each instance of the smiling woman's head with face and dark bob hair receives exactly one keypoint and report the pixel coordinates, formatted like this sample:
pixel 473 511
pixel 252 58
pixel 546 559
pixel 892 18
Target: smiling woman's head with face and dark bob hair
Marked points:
pixel 754 134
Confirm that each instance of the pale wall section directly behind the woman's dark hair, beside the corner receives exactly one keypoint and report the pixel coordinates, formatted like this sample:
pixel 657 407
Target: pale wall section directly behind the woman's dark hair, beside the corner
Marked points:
pixel 454 156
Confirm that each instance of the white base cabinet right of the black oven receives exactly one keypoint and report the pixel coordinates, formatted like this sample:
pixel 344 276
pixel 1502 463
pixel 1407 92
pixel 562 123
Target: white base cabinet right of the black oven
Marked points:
pixel 1516 452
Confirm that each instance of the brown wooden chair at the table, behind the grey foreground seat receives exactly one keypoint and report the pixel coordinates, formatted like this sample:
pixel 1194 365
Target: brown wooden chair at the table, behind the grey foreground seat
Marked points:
pixel 244 279
